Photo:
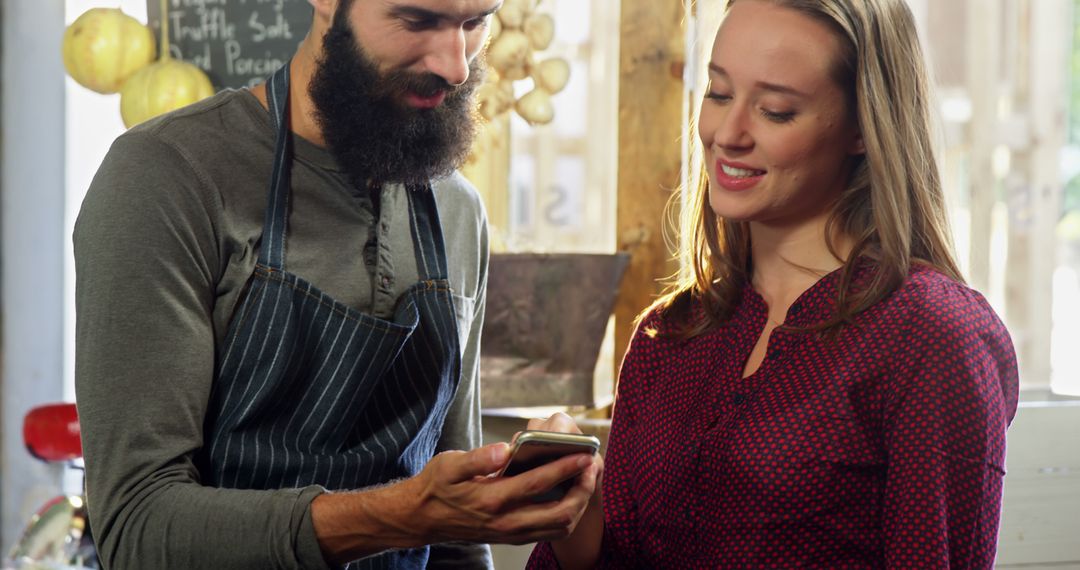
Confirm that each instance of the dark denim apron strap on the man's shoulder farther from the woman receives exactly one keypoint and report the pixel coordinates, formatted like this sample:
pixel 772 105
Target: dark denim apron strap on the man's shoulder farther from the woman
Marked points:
pixel 273 252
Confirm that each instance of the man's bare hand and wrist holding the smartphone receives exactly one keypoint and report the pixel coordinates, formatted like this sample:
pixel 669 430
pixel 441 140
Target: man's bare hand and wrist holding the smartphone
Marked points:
pixel 458 498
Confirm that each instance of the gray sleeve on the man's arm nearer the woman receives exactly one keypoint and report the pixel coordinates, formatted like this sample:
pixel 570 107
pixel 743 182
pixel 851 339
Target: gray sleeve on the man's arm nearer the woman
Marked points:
pixel 463 428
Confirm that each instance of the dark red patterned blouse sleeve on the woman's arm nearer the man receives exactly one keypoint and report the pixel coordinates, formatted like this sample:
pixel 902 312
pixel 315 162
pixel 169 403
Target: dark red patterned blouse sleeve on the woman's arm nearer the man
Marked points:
pixel 620 544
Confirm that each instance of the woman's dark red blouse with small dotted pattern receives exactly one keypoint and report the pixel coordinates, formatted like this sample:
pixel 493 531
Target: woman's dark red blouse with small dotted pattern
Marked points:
pixel 881 449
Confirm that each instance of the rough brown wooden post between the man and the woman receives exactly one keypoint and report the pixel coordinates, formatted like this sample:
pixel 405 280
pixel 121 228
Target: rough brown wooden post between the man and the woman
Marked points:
pixel 652 59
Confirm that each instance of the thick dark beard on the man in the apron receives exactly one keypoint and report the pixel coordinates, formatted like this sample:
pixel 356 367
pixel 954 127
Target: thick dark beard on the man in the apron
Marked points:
pixel 373 133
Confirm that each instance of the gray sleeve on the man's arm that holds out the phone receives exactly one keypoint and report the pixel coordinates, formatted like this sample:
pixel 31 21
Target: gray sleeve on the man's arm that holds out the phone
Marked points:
pixel 147 262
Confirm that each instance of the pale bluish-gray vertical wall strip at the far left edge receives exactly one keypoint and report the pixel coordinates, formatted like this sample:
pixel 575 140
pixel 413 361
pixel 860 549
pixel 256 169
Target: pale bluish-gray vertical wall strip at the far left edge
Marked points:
pixel 33 245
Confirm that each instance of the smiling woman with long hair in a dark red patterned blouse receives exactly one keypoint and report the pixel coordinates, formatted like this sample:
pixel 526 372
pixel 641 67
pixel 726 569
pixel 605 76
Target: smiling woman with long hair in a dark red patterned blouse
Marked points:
pixel 825 391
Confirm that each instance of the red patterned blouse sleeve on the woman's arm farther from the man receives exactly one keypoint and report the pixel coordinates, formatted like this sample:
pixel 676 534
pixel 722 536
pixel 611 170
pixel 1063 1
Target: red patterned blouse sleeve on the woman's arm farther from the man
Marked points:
pixel 953 396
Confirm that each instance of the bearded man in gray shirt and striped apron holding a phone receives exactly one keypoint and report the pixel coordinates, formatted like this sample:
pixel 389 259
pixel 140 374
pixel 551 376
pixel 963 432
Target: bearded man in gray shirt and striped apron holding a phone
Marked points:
pixel 280 294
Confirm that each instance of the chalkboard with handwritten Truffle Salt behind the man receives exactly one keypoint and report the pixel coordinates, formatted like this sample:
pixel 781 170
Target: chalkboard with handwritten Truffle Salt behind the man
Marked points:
pixel 237 43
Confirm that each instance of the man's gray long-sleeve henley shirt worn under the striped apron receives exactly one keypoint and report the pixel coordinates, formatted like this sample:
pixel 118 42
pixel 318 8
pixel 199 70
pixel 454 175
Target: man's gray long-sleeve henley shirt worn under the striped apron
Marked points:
pixel 165 245
